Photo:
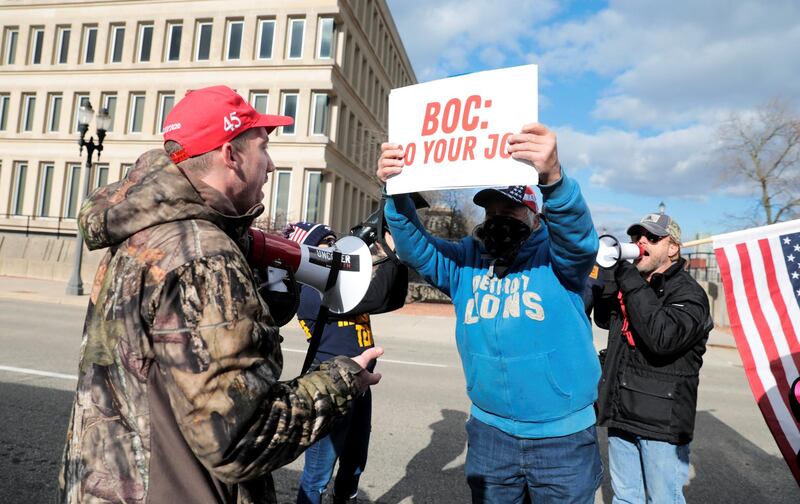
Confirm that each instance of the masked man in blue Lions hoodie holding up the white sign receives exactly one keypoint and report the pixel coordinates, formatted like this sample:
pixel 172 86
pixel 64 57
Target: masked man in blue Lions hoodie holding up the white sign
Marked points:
pixel 524 339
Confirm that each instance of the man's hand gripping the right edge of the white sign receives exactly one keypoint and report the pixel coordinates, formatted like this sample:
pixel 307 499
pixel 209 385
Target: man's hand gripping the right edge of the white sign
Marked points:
pixel 537 145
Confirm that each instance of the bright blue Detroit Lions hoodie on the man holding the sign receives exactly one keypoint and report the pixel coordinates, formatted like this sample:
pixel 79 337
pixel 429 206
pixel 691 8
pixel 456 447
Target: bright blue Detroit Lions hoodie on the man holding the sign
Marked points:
pixel 524 339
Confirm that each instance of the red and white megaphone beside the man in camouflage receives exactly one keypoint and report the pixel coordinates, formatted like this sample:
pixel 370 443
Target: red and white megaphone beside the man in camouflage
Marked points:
pixel 312 266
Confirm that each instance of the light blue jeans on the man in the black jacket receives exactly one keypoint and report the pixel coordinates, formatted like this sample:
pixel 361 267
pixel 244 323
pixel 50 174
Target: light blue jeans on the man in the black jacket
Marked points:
pixel 643 470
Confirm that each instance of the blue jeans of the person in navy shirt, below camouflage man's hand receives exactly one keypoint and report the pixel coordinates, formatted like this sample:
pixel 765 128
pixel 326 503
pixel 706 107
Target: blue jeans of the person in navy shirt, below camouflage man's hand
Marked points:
pixel 349 442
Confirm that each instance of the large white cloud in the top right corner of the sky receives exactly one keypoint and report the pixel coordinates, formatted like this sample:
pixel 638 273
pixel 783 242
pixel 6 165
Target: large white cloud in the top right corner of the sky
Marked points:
pixel 672 63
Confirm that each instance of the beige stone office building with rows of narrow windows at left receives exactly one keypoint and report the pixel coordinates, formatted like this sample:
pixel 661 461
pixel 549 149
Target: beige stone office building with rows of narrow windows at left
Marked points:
pixel 328 63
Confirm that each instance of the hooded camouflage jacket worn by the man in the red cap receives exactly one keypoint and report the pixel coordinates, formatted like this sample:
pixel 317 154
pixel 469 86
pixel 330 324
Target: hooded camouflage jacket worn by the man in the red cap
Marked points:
pixel 178 398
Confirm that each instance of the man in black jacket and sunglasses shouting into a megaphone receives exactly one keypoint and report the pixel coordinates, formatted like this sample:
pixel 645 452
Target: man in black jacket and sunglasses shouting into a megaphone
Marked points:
pixel 658 321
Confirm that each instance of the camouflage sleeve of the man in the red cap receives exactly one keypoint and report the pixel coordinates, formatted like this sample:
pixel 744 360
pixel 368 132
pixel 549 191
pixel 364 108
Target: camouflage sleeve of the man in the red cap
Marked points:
pixel 219 358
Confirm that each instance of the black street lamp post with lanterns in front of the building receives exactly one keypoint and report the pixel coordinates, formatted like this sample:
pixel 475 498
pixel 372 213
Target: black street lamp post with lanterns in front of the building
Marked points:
pixel 85 115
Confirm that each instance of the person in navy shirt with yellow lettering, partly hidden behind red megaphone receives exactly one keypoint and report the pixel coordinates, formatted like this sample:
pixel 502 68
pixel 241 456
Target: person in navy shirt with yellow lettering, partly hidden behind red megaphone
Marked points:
pixel 344 334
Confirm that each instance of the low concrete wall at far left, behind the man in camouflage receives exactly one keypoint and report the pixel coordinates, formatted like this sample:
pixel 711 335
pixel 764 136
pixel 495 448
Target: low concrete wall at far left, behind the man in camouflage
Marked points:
pixel 44 257
